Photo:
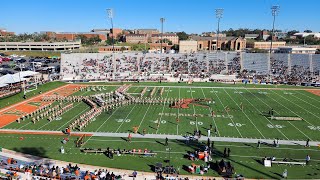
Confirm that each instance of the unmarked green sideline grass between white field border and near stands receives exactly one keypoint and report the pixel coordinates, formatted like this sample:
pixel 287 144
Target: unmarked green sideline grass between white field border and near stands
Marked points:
pixel 244 157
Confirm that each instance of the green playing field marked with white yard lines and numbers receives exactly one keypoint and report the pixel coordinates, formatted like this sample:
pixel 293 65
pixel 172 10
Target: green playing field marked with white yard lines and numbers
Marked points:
pixel 251 122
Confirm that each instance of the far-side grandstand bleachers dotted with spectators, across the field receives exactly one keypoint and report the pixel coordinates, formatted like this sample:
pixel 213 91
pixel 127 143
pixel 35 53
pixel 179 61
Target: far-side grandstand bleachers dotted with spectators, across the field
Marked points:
pixel 95 66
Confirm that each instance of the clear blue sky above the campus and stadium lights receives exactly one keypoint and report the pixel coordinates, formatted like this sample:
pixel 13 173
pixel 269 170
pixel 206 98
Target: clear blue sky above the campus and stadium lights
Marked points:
pixel 192 16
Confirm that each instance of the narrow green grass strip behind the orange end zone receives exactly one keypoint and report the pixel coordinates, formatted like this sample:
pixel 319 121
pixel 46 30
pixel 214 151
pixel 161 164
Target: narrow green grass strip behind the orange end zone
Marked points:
pixel 19 97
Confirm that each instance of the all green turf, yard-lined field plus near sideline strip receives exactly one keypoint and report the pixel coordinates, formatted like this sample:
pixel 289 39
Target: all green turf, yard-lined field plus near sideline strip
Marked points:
pixel 247 118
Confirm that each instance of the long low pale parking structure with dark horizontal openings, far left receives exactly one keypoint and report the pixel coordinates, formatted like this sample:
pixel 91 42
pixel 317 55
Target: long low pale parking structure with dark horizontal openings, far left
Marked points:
pixel 39 46
